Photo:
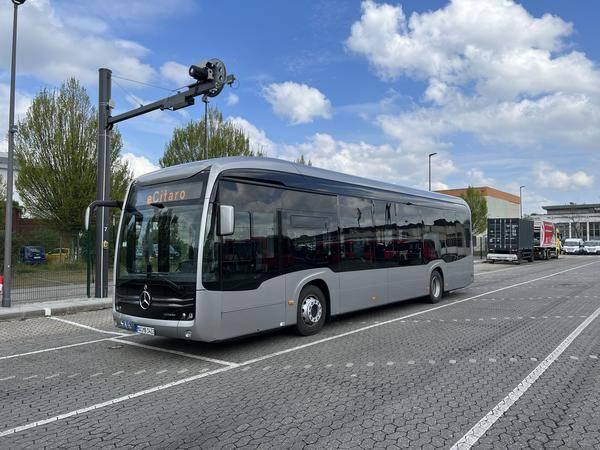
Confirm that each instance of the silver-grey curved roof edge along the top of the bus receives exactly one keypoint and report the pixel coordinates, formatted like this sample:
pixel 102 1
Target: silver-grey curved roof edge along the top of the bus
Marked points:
pixel 242 162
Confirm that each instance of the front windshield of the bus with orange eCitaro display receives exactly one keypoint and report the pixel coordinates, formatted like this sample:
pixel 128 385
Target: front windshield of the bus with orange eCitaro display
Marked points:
pixel 160 233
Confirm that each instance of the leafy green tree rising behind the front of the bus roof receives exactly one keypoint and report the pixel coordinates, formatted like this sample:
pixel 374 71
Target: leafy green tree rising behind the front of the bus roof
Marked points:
pixel 188 142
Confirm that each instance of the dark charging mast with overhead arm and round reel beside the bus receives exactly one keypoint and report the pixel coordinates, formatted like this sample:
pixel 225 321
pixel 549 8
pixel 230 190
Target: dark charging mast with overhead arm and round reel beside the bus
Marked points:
pixel 211 76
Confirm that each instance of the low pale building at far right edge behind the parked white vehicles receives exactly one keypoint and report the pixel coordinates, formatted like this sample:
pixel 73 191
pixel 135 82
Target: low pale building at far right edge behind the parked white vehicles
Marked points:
pixel 575 221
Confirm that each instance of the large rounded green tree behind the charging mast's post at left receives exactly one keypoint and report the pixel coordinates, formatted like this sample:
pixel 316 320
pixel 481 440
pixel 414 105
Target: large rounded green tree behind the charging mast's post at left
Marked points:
pixel 57 157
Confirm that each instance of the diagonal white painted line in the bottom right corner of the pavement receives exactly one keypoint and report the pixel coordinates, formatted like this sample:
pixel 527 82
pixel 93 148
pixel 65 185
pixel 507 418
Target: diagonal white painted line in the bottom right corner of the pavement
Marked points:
pixel 480 428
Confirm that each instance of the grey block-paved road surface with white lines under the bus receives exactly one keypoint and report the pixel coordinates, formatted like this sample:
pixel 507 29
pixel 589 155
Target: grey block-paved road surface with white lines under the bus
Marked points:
pixel 511 361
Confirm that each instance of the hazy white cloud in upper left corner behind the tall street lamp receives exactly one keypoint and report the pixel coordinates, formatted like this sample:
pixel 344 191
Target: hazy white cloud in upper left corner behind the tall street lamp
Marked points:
pixel 53 48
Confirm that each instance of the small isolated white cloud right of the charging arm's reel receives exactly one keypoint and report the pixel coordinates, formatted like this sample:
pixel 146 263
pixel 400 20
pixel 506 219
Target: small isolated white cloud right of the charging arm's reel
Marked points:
pixel 299 103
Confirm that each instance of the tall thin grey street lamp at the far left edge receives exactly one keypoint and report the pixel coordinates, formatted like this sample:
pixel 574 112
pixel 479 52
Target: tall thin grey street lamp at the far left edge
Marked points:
pixel 9 169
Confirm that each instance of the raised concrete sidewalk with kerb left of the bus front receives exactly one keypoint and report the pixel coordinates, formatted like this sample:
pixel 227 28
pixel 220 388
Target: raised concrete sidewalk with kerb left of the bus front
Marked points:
pixel 67 306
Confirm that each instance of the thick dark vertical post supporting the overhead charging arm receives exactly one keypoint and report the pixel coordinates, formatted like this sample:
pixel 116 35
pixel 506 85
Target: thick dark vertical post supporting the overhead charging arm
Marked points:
pixel 103 184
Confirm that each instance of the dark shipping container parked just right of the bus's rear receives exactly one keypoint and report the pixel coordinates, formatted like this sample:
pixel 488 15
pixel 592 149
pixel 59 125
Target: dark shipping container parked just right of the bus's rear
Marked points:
pixel 510 239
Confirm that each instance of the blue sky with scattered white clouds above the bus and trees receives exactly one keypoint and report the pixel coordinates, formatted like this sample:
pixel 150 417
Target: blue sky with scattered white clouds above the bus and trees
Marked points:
pixel 508 94
